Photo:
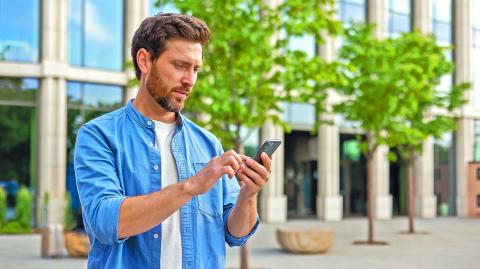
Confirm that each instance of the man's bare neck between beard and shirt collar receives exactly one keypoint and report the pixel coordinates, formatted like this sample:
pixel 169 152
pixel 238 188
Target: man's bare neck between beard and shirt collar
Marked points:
pixel 147 106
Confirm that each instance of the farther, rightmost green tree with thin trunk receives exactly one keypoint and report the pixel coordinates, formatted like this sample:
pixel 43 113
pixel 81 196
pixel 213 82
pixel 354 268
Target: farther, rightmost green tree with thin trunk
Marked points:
pixel 421 64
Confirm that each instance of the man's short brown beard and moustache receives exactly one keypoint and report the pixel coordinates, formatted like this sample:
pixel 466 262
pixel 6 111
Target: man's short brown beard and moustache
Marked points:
pixel 164 96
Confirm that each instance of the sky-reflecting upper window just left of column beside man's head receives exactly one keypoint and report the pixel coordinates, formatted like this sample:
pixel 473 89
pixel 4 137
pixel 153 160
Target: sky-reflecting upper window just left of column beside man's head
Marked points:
pixel 95 34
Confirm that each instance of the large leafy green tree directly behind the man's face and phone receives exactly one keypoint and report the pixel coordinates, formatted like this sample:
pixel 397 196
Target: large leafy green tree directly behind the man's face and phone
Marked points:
pixel 249 67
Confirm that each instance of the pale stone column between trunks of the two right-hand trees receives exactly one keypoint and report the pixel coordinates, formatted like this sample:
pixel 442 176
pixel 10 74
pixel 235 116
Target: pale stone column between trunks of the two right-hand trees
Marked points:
pixel 377 13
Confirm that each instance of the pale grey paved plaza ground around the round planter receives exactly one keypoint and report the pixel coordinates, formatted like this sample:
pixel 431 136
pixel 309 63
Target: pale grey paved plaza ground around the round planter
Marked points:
pixel 451 243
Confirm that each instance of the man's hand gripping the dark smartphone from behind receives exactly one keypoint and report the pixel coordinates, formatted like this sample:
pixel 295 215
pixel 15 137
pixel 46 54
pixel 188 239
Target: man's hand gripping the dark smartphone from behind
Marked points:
pixel 253 175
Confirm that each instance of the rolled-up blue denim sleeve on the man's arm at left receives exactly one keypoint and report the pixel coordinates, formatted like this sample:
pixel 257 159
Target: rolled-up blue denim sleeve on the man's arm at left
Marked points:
pixel 100 190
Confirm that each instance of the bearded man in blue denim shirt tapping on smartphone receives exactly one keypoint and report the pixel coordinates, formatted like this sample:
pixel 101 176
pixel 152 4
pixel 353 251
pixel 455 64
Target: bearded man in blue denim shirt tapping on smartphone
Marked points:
pixel 157 191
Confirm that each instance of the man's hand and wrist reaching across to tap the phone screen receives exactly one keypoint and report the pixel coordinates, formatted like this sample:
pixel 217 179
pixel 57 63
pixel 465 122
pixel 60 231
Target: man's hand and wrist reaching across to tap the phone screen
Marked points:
pixel 203 181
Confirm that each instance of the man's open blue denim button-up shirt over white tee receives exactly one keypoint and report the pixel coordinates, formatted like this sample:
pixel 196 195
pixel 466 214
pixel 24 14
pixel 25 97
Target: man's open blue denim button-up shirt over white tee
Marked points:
pixel 116 157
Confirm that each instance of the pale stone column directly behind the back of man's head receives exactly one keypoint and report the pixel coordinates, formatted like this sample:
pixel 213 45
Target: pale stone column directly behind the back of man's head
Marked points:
pixel 135 12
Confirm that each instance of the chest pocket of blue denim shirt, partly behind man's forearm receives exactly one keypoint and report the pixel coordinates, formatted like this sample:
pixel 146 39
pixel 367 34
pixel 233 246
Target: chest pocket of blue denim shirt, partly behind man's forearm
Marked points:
pixel 210 203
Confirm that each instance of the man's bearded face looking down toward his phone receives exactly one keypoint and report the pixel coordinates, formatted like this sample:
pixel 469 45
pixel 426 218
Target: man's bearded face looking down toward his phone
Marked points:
pixel 173 74
